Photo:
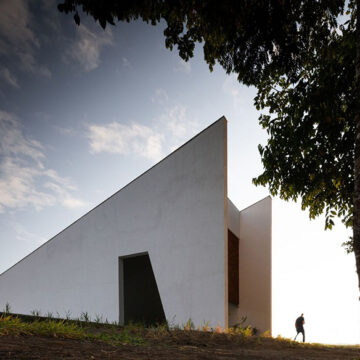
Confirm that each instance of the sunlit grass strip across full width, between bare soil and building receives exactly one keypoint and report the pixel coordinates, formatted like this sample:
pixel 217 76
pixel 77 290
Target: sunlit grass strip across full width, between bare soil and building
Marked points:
pixel 139 334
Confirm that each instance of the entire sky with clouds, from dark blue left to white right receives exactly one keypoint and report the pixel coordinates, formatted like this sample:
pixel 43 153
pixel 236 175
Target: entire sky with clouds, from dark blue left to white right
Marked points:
pixel 84 111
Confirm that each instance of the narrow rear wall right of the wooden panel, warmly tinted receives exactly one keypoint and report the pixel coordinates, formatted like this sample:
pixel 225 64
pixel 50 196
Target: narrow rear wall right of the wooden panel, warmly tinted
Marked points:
pixel 255 264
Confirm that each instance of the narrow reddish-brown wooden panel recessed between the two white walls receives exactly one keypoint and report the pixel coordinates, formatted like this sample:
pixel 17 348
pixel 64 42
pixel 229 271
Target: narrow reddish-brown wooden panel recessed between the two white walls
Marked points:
pixel 233 268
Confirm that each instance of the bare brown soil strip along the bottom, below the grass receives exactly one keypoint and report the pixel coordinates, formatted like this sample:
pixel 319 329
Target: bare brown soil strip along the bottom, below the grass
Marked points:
pixel 179 347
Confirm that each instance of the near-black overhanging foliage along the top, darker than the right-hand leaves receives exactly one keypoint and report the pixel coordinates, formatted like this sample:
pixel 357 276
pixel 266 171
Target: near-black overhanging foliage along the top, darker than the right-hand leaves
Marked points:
pixel 250 38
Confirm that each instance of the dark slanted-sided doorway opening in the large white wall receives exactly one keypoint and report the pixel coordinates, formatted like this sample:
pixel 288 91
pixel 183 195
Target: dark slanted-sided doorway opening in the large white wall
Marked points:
pixel 139 295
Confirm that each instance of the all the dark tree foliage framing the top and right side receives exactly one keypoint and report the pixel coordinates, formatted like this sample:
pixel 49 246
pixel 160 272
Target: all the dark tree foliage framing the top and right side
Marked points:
pixel 307 71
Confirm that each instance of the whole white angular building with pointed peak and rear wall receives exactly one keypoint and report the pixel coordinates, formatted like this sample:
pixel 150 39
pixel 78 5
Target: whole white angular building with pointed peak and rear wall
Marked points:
pixel 169 245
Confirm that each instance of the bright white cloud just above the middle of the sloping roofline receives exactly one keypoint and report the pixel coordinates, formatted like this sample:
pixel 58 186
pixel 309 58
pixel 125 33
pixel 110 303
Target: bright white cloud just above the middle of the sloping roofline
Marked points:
pixel 172 127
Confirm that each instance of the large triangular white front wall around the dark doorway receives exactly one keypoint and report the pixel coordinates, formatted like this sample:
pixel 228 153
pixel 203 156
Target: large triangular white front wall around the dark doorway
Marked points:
pixel 175 211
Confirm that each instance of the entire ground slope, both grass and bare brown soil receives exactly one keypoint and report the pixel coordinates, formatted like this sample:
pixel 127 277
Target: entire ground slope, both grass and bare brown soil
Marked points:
pixel 66 340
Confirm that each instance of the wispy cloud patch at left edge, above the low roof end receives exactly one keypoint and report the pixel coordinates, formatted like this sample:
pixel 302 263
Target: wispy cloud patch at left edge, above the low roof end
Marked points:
pixel 25 181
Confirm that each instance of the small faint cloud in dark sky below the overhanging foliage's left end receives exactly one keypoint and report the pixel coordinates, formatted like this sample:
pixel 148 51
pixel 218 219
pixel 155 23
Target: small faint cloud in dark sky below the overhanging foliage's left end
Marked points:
pixel 87 47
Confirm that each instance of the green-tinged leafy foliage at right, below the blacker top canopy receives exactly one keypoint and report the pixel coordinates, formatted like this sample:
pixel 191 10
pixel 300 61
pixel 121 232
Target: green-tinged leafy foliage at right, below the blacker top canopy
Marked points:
pixel 311 127
